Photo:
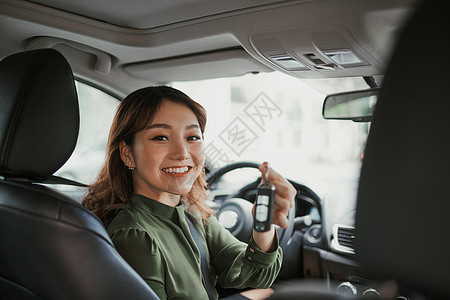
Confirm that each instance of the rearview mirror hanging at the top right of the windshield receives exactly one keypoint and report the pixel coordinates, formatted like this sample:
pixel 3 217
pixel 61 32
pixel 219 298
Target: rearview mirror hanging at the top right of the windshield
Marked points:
pixel 357 106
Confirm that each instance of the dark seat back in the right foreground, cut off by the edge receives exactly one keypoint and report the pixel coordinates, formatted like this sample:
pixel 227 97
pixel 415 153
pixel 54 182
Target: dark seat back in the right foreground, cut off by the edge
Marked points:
pixel 403 211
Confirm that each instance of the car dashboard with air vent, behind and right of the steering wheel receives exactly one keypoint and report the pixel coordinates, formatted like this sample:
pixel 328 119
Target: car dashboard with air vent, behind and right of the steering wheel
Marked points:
pixel 321 246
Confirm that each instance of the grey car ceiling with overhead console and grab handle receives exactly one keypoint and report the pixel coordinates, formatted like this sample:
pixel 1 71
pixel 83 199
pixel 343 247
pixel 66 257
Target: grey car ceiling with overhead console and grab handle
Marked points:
pixel 123 45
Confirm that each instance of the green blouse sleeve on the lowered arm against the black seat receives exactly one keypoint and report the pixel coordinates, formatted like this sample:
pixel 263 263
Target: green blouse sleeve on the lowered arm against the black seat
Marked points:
pixel 143 255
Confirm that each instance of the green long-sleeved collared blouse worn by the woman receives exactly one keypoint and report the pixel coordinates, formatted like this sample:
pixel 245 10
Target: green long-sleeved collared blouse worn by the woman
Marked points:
pixel 155 240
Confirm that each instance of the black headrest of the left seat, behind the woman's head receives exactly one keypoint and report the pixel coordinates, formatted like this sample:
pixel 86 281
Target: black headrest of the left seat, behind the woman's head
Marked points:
pixel 39 115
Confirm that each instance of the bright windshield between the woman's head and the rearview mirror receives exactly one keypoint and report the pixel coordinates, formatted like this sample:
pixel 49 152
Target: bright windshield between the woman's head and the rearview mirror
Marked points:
pixel 278 118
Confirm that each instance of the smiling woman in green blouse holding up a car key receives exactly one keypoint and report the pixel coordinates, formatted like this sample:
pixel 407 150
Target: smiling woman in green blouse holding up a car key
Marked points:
pixel 150 195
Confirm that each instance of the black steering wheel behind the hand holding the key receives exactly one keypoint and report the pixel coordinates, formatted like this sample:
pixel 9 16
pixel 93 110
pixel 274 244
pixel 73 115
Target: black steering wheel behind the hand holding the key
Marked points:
pixel 235 213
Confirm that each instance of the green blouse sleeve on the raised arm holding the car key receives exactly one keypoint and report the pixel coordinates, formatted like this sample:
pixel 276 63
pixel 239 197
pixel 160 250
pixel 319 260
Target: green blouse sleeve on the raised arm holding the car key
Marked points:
pixel 237 264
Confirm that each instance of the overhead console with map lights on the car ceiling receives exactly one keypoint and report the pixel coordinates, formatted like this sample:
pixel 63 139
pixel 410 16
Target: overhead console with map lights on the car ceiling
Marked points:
pixel 315 52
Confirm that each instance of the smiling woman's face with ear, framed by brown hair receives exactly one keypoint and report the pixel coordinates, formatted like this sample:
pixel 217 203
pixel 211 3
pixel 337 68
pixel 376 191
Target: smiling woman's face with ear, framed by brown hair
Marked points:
pixel 167 155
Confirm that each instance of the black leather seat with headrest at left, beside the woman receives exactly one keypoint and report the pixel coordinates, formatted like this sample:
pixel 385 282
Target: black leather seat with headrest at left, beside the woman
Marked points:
pixel 50 246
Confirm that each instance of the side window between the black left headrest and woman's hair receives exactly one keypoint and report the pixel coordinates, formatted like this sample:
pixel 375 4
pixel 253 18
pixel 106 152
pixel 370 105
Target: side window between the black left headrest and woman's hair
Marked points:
pixel 97 111
